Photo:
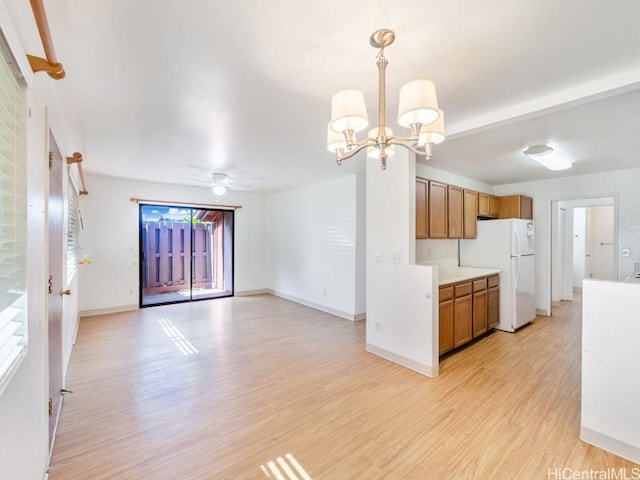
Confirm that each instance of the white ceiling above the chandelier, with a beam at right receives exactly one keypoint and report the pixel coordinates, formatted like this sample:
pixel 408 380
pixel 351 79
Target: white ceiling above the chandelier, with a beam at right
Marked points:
pixel 170 91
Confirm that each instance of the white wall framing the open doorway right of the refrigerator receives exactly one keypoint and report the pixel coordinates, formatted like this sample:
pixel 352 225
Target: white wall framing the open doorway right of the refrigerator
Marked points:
pixel 621 184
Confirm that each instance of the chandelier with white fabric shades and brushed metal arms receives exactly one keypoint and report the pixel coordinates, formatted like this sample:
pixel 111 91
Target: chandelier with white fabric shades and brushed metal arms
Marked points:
pixel 417 110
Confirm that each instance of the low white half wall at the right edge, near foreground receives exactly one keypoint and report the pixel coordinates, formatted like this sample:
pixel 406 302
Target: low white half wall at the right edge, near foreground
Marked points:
pixel 610 359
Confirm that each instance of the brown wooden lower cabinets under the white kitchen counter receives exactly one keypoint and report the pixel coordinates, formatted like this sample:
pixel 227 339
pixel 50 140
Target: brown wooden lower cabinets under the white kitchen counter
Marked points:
pixel 467 310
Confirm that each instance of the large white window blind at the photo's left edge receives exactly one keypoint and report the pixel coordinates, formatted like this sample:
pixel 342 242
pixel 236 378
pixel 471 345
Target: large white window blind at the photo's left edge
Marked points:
pixel 13 224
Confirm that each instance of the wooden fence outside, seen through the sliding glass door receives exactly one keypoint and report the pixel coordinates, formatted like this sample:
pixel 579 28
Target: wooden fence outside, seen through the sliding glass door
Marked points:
pixel 167 260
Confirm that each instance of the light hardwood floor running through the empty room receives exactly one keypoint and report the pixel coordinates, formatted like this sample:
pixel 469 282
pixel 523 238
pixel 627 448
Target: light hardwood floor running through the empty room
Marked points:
pixel 219 389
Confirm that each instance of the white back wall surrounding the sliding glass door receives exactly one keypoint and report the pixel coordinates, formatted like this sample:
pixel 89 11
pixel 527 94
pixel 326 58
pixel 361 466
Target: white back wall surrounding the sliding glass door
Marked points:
pixel 111 239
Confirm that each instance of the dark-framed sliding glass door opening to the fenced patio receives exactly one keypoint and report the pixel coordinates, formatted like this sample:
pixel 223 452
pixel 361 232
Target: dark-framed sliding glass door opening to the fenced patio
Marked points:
pixel 186 254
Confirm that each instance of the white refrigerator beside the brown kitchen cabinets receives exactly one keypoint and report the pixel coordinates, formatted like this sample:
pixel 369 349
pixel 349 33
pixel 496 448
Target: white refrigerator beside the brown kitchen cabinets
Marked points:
pixel 508 245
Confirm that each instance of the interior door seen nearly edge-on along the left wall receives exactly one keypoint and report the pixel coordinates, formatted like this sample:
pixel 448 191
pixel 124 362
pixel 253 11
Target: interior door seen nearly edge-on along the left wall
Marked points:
pixel 55 216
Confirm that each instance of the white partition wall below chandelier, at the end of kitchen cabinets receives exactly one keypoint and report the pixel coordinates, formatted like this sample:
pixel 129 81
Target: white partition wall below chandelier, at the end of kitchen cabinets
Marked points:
pixel 402 317
